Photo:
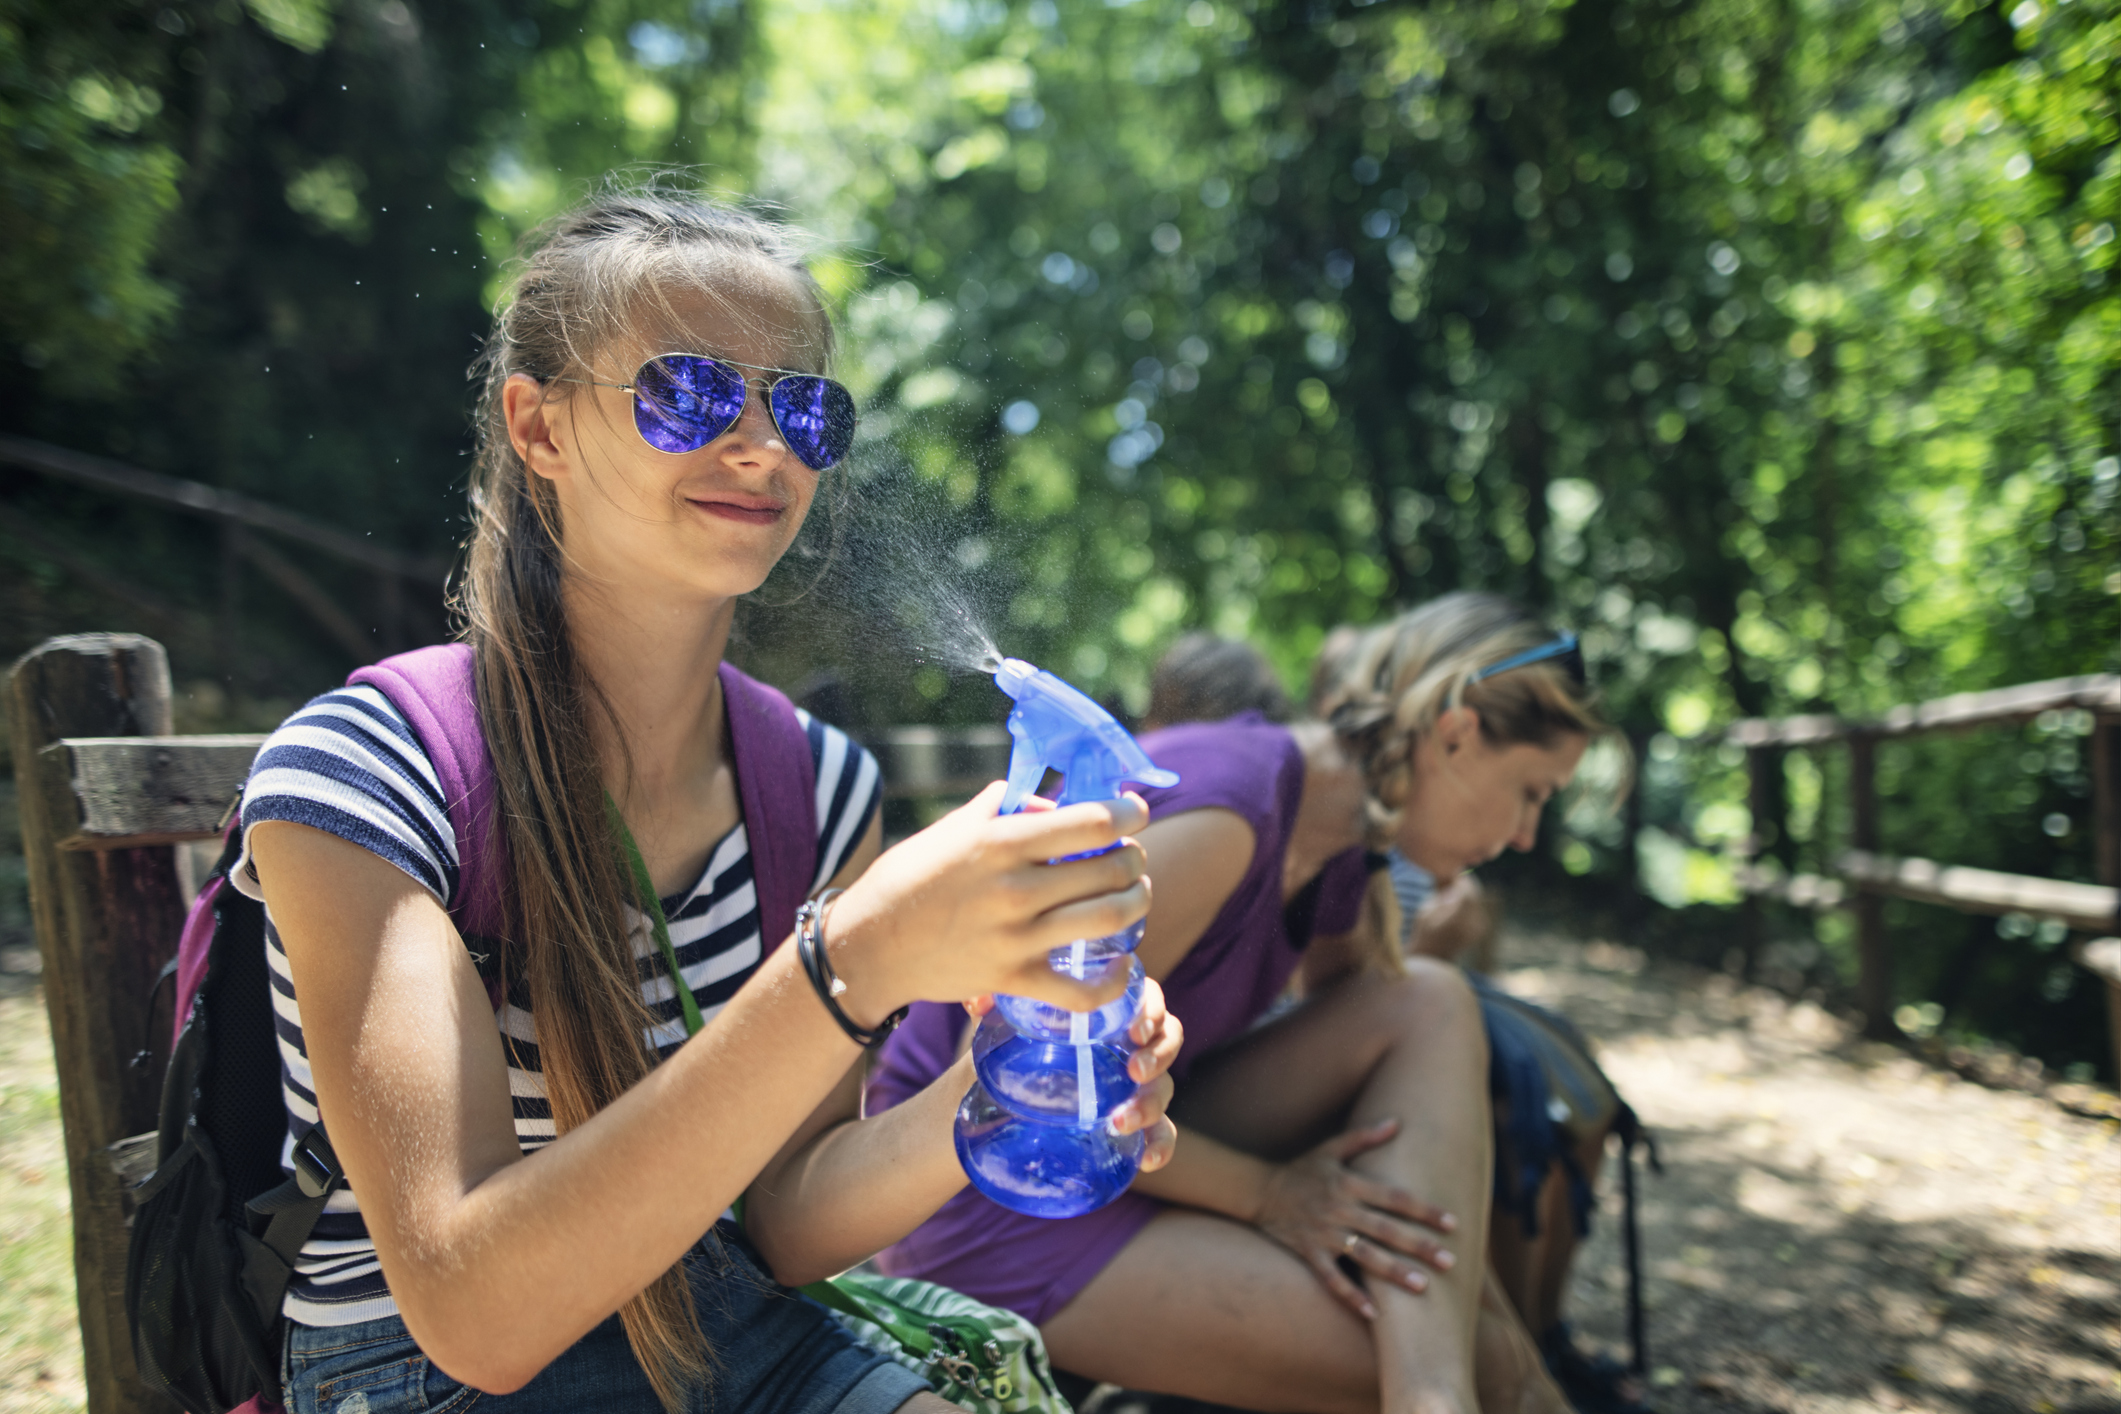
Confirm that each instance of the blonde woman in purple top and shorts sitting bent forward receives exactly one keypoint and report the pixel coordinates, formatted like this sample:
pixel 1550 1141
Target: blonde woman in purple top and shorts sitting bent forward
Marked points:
pixel 1318 1239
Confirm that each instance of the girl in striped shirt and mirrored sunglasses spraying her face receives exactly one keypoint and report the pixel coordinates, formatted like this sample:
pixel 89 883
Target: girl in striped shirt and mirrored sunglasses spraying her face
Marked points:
pixel 540 1176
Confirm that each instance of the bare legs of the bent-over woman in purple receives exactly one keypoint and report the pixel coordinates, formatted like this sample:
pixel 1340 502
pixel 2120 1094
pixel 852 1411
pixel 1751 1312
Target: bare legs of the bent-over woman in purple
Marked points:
pixel 1375 1048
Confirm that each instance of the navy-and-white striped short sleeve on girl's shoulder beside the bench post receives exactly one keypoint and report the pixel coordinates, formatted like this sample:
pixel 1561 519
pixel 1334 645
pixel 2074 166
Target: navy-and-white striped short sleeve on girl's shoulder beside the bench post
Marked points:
pixel 351 766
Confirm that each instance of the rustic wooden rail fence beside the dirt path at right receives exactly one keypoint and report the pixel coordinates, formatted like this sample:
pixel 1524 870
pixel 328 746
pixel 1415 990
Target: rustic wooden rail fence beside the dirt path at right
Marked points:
pixel 1863 874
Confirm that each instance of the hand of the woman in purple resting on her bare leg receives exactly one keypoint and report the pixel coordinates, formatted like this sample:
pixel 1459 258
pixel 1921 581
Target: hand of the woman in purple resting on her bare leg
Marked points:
pixel 1325 1212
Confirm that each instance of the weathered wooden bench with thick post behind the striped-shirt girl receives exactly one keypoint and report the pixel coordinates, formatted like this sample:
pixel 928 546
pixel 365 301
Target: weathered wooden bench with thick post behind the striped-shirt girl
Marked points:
pixel 107 794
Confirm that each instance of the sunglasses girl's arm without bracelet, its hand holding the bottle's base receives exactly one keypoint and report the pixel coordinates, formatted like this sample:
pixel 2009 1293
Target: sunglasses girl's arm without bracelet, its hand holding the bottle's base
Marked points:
pixel 847 1188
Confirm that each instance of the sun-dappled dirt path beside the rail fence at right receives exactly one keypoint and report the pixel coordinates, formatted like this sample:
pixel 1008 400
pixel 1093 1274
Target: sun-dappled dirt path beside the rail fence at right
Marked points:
pixel 1840 1226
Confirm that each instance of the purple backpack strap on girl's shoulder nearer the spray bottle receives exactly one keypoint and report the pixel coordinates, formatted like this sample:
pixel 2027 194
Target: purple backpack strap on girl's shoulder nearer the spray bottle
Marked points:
pixel 777 785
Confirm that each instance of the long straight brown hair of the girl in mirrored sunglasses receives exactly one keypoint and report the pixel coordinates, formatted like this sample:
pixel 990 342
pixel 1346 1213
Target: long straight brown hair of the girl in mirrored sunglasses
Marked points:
pixel 591 281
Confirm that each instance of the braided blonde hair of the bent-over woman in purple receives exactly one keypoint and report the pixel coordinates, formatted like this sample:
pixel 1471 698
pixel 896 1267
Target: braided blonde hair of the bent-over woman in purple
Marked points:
pixel 1386 688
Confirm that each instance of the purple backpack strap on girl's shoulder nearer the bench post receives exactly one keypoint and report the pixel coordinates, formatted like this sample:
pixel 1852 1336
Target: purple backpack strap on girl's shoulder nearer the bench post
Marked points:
pixel 438 692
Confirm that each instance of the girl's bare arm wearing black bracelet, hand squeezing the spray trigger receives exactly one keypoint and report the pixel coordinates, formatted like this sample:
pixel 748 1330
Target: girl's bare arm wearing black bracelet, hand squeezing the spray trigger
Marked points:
pixel 502 1265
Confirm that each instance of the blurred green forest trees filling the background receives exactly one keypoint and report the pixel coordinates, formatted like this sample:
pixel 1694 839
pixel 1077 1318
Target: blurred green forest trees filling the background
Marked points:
pixel 1772 344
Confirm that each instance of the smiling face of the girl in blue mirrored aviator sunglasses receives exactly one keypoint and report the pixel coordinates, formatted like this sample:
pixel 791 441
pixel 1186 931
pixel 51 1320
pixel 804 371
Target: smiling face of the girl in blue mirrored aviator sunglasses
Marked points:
pixel 678 529
